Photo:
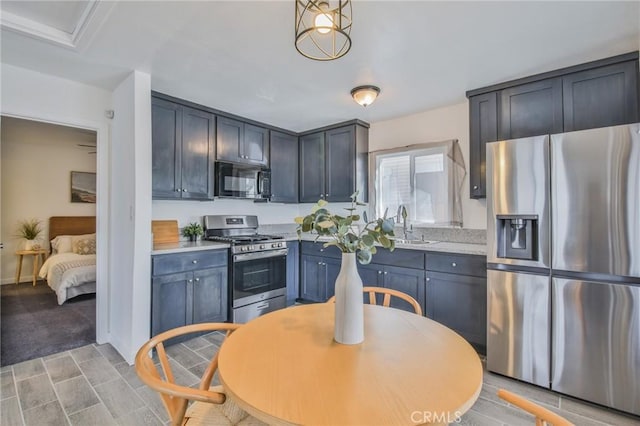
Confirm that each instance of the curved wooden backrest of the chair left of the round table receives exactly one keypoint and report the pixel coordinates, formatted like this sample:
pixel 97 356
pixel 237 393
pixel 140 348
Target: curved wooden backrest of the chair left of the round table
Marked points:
pixel 176 397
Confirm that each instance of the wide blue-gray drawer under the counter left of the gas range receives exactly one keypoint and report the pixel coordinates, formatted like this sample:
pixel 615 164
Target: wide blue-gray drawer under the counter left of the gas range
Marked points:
pixel 180 262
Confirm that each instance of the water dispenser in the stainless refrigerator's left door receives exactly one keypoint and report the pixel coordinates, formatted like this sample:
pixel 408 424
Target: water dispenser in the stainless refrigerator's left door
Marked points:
pixel 517 236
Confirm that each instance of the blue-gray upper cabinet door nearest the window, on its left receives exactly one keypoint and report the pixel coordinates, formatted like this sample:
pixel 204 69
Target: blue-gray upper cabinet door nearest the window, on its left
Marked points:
pixel 340 163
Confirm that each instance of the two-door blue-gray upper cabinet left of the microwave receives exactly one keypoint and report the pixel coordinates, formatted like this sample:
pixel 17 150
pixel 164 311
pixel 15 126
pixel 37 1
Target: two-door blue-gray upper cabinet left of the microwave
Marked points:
pixel 183 151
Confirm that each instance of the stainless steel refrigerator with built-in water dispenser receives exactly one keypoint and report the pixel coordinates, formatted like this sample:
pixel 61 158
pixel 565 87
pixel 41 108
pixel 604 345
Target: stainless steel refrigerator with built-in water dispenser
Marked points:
pixel 563 253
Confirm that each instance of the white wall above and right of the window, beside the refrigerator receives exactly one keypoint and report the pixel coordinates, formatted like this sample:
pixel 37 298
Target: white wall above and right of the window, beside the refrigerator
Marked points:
pixel 451 122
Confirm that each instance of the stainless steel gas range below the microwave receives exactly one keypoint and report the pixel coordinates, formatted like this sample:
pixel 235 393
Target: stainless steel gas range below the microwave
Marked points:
pixel 257 265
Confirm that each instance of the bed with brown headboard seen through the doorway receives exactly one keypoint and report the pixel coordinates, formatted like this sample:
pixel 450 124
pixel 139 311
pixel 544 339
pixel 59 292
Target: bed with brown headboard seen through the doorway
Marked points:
pixel 70 270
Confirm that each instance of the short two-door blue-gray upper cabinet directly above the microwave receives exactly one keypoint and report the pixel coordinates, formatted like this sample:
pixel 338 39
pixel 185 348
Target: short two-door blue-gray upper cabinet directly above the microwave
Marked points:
pixel 240 142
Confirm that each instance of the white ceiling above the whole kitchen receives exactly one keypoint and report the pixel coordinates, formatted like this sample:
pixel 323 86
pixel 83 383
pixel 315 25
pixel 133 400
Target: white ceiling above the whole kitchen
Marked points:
pixel 239 56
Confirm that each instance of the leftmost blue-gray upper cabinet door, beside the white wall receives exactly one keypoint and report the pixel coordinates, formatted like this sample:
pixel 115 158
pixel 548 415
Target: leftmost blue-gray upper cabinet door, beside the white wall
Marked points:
pixel 166 130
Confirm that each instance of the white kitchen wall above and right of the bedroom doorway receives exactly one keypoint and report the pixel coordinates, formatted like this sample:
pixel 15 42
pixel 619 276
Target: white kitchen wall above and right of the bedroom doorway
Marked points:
pixel 29 94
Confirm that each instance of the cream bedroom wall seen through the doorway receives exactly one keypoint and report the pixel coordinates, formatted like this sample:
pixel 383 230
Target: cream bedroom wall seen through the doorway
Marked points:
pixel 36 163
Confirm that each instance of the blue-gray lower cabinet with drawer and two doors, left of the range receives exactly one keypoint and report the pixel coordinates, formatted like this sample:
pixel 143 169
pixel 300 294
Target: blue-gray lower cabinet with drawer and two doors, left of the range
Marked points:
pixel 188 288
